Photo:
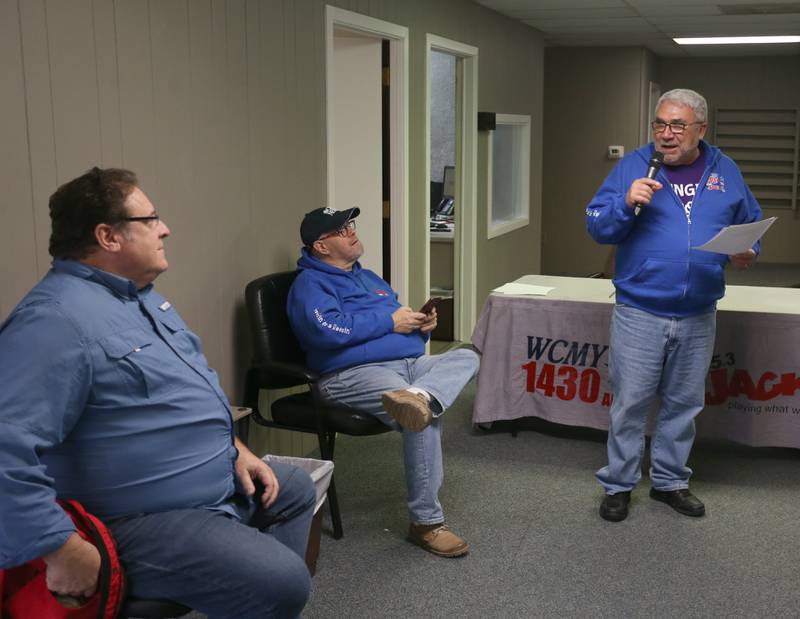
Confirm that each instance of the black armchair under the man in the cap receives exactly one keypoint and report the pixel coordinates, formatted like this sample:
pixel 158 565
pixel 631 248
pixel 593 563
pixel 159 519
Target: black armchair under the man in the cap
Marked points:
pixel 278 363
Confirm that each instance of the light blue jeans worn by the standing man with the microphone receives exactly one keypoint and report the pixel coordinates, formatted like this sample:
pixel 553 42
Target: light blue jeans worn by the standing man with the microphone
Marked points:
pixel 652 355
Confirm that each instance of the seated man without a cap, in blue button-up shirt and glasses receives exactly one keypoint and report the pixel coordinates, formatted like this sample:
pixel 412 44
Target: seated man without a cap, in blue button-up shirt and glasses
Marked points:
pixel 106 397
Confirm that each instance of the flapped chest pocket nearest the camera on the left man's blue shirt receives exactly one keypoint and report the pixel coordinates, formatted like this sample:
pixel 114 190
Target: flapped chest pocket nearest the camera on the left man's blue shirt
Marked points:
pixel 142 361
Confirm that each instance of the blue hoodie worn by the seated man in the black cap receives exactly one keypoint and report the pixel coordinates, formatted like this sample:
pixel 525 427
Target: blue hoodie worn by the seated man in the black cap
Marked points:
pixel 344 318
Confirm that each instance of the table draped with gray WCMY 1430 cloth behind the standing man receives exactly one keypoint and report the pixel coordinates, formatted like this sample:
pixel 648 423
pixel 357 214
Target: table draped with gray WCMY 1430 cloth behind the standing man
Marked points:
pixel 547 356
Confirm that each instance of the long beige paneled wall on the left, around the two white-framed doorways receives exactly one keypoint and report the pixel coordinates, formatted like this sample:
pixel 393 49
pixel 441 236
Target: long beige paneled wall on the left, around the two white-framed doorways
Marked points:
pixel 219 107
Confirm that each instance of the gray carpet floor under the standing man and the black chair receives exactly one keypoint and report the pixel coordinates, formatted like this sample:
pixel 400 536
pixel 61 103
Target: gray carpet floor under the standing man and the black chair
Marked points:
pixel 528 506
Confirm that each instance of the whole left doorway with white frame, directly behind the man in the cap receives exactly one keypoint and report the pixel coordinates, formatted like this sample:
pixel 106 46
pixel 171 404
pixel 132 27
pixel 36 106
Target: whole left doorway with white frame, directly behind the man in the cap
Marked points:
pixel 357 83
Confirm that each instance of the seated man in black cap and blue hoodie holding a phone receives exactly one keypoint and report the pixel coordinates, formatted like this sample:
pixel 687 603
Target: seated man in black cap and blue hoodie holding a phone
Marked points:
pixel 369 350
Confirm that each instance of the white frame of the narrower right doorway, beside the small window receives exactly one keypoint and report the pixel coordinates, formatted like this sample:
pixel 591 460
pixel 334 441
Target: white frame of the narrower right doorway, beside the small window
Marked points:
pixel 465 234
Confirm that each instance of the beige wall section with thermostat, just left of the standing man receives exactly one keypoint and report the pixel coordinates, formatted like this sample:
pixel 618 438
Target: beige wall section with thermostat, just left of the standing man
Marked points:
pixel 593 99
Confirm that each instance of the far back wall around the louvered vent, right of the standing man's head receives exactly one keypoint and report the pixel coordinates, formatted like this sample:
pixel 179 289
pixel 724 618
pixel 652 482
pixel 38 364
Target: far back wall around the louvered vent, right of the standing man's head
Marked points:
pixel 765 82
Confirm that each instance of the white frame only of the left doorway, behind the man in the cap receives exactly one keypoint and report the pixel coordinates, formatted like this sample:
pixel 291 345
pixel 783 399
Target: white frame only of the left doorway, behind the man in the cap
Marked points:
pixel 336 18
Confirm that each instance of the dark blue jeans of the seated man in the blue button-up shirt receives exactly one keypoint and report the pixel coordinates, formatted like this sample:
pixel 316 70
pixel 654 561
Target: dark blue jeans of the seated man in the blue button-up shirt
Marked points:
pixel 214 563
